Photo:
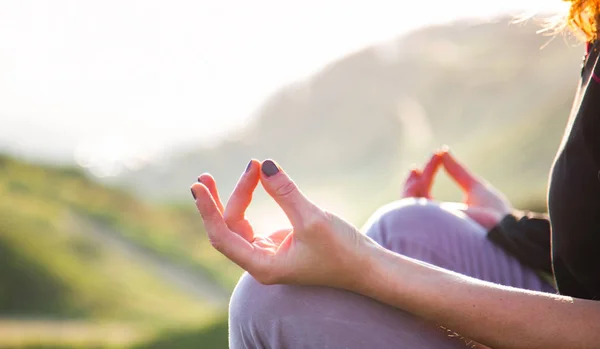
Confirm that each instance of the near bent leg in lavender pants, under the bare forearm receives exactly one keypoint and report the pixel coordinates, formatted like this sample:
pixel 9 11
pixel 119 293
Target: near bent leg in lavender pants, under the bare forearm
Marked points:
pixel 284 316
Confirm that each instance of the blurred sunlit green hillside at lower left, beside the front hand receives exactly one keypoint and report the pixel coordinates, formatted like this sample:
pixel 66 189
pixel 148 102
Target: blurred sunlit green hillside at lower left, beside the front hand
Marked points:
pixel 75 254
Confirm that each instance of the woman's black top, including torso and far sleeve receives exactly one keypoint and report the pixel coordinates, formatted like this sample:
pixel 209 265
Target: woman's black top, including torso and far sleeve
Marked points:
pixel 572 250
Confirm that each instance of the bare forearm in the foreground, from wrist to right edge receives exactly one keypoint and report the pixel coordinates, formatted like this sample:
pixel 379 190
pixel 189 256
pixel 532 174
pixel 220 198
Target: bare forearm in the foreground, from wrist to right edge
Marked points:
pixel 497 316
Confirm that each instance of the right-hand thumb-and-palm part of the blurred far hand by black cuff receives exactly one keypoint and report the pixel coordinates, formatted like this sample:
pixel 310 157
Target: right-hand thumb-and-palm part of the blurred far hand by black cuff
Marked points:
pixel 485 204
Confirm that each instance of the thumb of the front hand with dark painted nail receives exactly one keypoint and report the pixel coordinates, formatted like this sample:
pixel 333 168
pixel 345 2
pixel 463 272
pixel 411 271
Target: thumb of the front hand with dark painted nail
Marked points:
pixel 299 210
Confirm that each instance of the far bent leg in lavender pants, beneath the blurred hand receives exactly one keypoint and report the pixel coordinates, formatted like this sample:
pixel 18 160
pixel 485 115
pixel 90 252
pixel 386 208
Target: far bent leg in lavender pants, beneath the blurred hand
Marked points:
pixel 427 231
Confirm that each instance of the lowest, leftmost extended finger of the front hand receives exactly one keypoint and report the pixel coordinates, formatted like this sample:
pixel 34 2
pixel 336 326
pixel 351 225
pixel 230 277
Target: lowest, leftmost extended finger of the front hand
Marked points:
pixel 230 244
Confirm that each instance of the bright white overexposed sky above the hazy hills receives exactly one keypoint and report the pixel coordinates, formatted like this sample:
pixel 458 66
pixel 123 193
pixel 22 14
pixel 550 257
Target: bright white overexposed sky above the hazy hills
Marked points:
pixel 111 81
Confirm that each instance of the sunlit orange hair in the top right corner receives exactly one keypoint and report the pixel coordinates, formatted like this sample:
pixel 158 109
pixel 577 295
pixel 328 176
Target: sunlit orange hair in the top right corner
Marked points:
pixel 583 18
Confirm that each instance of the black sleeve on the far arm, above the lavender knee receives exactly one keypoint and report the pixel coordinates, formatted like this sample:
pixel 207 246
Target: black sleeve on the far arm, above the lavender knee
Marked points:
pixel 526 236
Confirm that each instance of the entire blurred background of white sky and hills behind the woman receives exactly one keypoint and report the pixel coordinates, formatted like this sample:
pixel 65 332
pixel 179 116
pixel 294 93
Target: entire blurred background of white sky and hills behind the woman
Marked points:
pixel 110 110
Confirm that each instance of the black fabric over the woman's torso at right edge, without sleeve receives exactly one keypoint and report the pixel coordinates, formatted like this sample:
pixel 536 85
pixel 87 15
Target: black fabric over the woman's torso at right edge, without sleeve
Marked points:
pixel 574 194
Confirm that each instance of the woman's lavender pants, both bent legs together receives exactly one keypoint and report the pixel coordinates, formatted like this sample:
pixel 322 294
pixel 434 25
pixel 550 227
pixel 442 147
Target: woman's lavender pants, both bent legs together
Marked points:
pixel 282 316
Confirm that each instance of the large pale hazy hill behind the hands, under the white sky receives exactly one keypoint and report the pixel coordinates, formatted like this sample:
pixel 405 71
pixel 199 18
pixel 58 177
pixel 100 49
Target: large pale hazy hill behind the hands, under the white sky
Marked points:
pixel 499 94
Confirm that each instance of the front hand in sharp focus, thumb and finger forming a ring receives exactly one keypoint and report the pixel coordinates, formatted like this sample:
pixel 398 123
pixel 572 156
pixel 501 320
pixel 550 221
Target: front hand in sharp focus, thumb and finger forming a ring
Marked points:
pixel 320 249
